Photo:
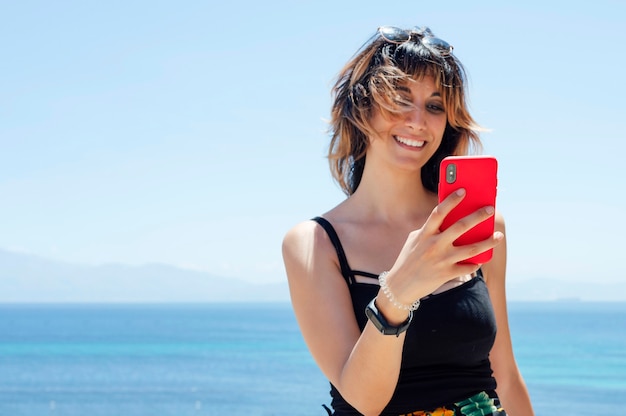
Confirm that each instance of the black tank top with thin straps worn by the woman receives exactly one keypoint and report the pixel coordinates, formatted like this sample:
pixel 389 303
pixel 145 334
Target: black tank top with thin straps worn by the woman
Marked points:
pixel 446 350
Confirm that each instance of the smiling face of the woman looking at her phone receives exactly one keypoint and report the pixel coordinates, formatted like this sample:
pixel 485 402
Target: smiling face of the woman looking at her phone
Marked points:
pixel 410 139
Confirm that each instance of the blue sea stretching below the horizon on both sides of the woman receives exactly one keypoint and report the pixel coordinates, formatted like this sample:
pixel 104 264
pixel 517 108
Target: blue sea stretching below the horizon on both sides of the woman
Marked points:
pixel 250 359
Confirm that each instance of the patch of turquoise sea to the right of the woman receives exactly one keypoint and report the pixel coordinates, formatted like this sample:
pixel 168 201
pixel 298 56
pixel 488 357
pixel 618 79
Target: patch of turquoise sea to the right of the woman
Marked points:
pixel 573 355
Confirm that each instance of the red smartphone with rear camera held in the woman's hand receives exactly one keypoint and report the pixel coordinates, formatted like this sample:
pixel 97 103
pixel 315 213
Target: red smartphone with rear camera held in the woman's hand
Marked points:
pixel 478 175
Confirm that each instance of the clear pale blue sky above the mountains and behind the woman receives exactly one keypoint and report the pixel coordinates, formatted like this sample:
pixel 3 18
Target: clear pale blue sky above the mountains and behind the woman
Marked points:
pixel 192 133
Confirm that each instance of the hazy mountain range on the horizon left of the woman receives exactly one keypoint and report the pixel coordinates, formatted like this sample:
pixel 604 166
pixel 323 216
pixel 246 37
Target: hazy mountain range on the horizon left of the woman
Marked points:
pixel 27 278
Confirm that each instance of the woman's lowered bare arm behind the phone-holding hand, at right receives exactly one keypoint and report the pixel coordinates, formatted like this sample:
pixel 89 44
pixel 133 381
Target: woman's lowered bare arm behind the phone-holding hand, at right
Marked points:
pixel 511 387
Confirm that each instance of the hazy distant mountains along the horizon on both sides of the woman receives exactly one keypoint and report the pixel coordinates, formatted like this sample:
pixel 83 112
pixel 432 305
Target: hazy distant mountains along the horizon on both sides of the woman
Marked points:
pixel 28 278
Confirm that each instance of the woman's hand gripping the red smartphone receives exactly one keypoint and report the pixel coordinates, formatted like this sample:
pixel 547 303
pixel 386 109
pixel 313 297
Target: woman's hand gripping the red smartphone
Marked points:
pixel 428 258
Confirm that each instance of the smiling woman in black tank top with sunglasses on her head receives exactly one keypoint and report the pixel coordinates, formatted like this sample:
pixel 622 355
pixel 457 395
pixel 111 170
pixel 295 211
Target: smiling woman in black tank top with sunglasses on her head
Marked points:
pixel 391 317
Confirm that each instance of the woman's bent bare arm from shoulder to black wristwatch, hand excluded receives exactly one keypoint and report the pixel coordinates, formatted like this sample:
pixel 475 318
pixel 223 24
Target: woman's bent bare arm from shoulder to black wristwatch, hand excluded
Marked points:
pixel 363 367
